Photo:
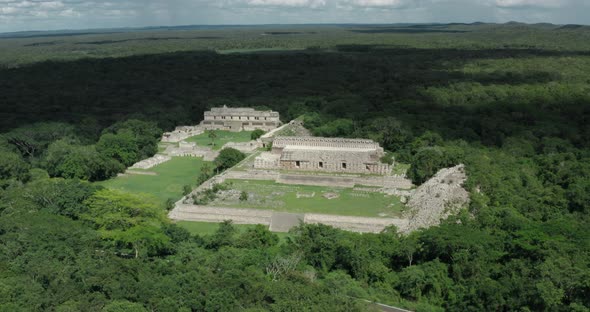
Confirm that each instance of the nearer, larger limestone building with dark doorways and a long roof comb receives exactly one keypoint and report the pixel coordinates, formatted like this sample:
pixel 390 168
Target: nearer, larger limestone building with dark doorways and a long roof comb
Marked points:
pixel 324 154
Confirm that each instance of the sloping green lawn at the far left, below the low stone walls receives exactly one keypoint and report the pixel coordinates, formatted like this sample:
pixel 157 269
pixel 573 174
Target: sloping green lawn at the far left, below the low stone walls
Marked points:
pixel 170 177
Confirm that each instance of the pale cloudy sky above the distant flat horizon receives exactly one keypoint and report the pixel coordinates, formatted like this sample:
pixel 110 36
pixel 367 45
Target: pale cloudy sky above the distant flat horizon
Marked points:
pixel 24 15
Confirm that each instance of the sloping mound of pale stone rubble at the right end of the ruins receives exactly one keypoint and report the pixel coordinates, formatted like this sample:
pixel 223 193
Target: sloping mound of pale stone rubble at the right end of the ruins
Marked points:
pixel 437 199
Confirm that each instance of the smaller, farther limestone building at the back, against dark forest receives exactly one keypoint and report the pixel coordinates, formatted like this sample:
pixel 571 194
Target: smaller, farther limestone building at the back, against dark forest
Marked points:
pixel 239 119
